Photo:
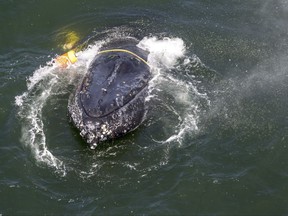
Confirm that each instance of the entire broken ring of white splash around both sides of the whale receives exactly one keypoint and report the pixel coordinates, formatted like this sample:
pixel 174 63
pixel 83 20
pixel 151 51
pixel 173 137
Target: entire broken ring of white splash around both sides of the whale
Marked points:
pixel 47 82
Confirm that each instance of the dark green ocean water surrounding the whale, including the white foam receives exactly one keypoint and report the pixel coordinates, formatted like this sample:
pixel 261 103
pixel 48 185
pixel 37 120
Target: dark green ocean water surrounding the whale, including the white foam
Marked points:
pixel 215 138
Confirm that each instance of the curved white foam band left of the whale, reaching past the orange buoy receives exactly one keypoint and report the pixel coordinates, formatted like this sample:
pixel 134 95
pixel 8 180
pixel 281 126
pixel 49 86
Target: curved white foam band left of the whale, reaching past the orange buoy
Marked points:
pixel 45 82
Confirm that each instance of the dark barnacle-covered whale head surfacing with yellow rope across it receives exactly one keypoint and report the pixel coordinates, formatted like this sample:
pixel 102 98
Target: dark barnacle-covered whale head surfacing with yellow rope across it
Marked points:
pixel 110 100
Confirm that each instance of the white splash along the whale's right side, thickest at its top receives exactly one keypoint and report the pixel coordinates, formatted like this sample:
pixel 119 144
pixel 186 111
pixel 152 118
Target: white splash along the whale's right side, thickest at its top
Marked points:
pixel 165 55
